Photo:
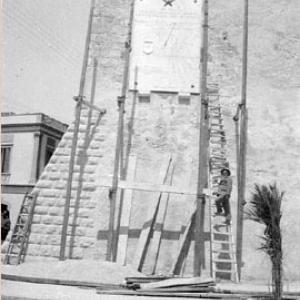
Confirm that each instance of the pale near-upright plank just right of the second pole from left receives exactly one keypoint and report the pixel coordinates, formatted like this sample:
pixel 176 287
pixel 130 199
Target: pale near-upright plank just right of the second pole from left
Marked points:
pixel 125 216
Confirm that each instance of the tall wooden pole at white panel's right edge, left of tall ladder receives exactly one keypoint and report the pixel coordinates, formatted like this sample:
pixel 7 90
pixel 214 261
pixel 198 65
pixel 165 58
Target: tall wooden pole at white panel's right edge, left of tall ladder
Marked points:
pixel 203 144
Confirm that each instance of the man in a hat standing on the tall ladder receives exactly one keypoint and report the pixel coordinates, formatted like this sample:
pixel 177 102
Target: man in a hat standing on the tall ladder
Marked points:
pixel 223 195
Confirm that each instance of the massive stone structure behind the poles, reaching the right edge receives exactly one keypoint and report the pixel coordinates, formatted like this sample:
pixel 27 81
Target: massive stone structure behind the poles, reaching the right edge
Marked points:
pixel 164 119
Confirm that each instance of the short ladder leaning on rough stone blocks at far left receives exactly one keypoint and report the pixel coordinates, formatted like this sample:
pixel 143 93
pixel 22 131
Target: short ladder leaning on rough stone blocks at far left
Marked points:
pixel 19 238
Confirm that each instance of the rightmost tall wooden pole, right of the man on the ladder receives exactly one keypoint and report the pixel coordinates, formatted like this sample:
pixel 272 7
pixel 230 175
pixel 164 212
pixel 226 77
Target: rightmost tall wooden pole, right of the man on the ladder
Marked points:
pixel 243 143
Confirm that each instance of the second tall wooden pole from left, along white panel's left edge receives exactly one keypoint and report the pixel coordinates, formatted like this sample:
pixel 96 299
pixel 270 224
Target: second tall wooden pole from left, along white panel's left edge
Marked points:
pixel 111 251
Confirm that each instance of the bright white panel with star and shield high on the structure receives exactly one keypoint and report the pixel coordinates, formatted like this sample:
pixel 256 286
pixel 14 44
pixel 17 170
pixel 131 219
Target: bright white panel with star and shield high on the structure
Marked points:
pixel 166 45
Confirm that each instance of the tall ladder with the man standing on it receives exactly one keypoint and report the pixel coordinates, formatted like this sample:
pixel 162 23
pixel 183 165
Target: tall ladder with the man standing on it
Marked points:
pixel 222 255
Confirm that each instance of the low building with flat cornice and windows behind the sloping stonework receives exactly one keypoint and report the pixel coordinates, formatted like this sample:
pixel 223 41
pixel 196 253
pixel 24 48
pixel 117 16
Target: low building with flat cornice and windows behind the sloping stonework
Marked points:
pixel 27 143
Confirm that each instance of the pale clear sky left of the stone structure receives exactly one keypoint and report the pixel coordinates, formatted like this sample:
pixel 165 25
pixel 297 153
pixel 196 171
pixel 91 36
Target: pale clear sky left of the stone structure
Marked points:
pixel 43 43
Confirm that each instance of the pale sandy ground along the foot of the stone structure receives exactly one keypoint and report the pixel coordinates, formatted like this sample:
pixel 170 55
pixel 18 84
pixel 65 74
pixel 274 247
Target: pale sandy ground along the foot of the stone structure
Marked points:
pixel 93 272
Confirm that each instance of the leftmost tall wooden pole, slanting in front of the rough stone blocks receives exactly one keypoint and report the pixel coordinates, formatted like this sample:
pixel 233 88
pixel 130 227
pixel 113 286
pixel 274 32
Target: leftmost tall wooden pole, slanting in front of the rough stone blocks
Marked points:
pixel 75 136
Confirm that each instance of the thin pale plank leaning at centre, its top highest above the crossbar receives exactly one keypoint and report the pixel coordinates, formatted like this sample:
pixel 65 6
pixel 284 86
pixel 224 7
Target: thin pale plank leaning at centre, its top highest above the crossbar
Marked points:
pixel 159 224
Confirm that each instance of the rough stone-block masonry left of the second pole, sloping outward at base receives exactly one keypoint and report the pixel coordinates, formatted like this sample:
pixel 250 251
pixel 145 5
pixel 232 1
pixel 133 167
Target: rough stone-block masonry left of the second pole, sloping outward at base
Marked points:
pixel 96 138
